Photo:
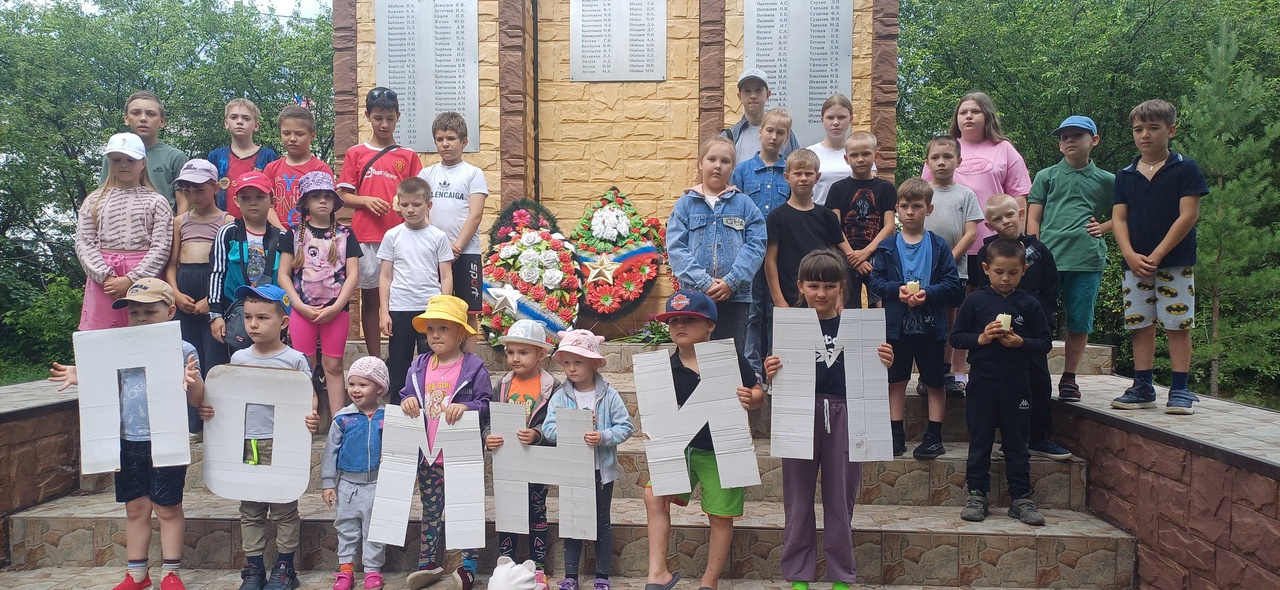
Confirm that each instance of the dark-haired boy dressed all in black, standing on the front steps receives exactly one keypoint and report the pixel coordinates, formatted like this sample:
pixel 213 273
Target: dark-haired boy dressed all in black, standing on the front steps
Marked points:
pixel 1004 330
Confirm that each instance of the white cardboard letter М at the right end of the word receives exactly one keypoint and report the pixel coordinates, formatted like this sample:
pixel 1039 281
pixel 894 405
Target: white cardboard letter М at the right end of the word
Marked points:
pixel 799 344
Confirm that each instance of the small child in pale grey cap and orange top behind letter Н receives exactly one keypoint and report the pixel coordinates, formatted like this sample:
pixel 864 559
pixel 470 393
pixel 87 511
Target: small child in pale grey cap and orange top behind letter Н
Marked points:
pixel 529 386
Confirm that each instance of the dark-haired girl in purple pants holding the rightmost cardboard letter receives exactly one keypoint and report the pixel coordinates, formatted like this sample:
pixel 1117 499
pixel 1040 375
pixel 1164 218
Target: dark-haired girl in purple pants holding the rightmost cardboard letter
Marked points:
pixel 822 280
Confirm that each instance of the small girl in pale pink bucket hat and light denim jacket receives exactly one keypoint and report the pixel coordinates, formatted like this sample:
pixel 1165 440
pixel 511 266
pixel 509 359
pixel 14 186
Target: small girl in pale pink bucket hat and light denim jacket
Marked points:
pixel 586 388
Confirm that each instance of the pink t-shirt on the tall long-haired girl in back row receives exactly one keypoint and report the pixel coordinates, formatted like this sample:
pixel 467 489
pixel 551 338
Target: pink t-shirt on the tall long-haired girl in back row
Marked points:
pixel 990 170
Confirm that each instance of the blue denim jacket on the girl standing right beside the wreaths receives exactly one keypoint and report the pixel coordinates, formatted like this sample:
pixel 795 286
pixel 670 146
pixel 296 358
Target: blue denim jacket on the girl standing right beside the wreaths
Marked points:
pixel 726 243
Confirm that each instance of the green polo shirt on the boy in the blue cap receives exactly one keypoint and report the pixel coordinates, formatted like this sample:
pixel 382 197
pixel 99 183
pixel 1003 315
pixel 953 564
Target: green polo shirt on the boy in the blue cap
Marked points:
pixel 1071 198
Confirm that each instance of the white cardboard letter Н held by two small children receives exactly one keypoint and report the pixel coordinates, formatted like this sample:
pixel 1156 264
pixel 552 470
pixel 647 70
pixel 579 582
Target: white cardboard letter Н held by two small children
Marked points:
pixel 570 465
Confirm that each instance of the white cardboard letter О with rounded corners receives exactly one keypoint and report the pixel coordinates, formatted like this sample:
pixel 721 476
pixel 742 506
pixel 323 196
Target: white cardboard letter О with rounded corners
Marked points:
pixel 230 388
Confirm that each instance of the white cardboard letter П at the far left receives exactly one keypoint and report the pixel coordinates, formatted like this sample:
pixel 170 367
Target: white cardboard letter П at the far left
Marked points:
pixel 99 356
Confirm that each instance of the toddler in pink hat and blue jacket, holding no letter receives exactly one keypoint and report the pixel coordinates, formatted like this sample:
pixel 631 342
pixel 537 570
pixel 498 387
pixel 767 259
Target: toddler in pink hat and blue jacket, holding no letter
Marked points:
pixel 350 472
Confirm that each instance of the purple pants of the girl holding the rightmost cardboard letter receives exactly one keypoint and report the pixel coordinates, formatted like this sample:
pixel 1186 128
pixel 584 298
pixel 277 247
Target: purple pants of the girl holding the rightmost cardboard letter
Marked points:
pixel 842 483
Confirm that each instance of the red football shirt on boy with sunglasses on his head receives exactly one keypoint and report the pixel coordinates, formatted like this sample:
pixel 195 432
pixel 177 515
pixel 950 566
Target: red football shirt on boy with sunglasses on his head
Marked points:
pixel 382 181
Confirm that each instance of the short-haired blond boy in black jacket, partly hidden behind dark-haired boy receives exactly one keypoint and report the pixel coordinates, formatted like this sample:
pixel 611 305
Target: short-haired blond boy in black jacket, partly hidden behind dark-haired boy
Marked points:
pixel 1041 281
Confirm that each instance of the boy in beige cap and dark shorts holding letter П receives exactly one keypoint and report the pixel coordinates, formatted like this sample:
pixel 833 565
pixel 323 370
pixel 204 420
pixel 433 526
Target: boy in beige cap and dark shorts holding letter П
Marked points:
pixel 141 487
